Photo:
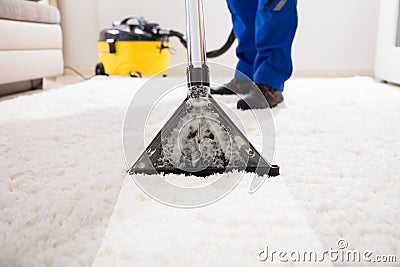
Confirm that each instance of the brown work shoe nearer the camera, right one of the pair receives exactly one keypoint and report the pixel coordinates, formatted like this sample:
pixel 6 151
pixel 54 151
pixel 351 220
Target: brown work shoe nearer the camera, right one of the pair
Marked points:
pixel 260 97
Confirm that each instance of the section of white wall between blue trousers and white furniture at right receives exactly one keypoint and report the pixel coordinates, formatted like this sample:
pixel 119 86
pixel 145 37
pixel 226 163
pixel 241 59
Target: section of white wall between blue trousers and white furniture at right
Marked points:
pixel 336 37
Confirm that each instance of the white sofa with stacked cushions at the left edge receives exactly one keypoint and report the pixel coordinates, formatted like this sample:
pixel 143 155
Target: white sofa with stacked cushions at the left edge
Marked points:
pixel 30 44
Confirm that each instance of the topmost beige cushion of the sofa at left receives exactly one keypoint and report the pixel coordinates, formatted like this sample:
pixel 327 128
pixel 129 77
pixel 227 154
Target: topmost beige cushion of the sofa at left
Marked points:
pixel 28 11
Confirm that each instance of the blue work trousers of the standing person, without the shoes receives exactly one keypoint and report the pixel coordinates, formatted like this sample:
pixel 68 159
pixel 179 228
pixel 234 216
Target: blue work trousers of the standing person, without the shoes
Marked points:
pixel 265 30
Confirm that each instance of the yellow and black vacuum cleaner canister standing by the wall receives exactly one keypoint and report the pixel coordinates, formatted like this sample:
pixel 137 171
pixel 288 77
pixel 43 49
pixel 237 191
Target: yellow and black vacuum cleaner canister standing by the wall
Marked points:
pixel 134 49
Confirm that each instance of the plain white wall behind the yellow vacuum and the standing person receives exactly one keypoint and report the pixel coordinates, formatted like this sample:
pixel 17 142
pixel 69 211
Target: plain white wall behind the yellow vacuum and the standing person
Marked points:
pixel 334 38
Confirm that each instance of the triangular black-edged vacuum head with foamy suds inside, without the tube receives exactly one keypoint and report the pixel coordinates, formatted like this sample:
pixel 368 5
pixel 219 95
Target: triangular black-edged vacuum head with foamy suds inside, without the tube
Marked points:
pixel 200 139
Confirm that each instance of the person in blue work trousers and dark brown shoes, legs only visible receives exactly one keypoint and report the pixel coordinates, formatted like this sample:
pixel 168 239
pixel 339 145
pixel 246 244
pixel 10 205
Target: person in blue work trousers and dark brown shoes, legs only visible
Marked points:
pixel 265 30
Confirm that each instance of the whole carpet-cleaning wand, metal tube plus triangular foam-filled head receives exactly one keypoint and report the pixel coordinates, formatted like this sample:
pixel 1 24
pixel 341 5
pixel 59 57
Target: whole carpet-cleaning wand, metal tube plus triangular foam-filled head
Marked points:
pixel 200 139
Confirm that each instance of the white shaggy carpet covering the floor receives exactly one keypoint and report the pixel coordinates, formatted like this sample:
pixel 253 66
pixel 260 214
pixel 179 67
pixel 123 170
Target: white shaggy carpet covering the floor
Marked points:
pixel 62 166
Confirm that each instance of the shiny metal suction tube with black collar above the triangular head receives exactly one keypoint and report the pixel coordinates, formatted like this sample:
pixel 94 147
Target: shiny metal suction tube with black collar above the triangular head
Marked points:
pixel 197 72
